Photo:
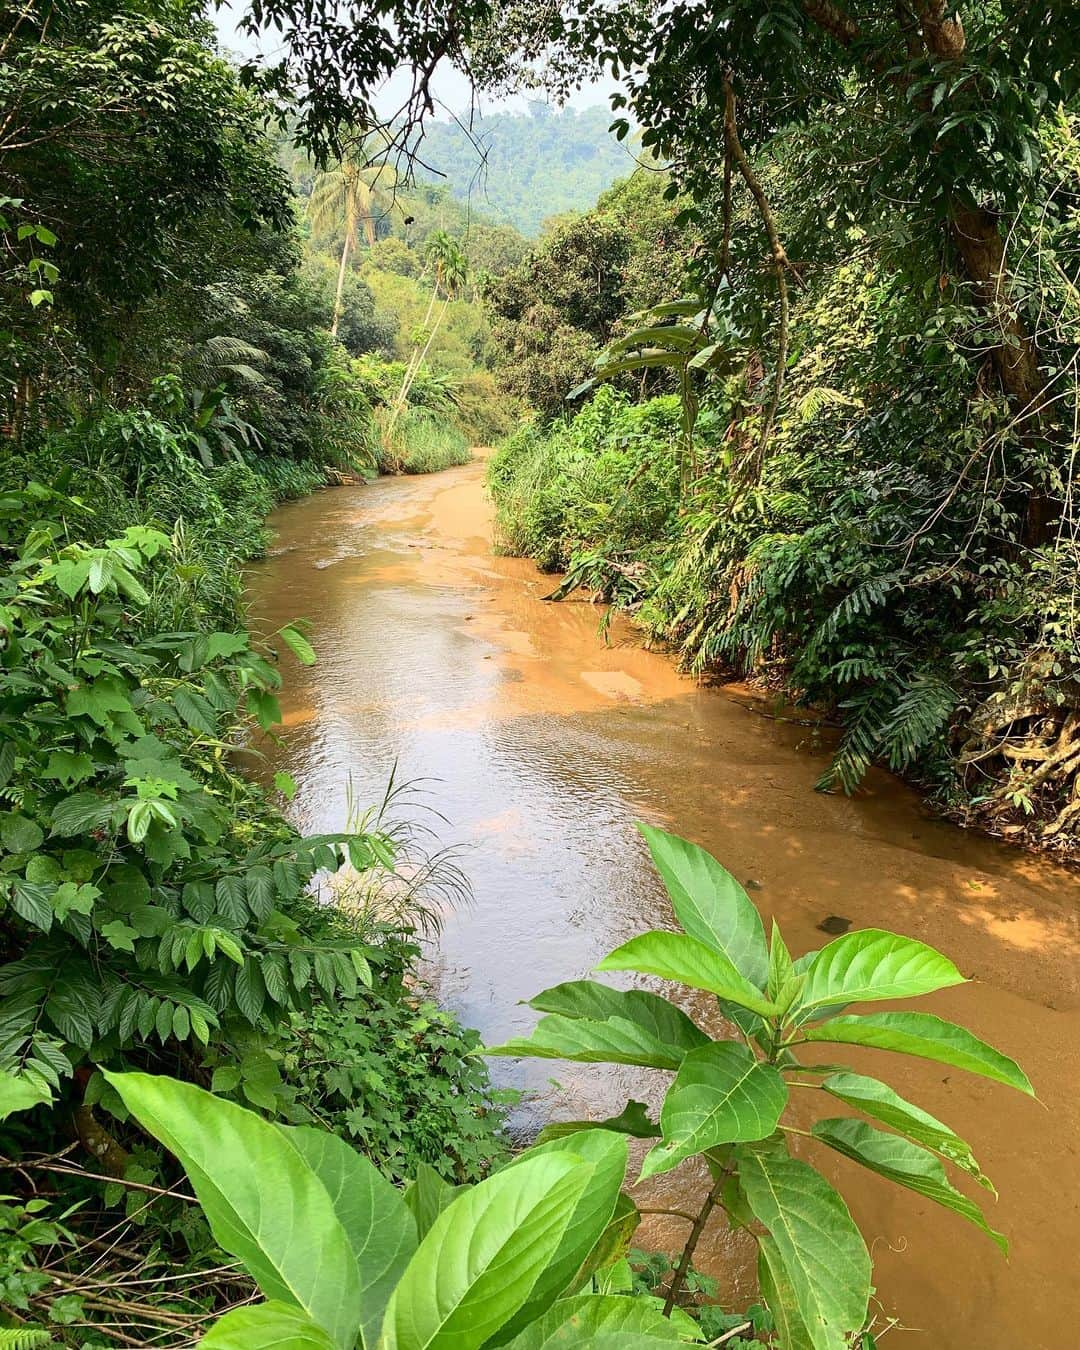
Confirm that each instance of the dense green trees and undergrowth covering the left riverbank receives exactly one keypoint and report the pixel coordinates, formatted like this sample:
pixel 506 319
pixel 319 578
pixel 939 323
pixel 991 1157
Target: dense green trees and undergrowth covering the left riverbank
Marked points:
pixel 168 373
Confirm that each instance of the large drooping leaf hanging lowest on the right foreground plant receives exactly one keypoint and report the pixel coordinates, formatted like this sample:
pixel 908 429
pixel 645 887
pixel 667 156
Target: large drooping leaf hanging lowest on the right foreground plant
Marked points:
pixel 824 1263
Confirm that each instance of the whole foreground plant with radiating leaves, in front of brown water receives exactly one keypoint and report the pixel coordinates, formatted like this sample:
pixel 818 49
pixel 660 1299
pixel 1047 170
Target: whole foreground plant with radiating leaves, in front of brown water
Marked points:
pixel 728 1097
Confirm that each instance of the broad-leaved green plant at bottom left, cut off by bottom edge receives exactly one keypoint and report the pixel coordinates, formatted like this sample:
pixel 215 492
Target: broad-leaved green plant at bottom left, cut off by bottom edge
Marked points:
pixel 346 1260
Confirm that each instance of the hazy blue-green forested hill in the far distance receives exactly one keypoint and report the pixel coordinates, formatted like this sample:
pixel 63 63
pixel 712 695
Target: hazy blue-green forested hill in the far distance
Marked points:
pixel 531 165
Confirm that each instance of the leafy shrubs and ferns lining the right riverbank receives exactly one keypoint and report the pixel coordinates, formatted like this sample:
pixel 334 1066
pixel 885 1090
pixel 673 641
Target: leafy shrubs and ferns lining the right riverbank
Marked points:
pixel 871 580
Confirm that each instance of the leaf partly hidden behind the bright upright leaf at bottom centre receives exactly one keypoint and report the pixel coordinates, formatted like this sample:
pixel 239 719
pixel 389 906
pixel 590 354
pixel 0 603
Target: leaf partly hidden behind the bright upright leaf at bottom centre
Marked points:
pixel 607 1154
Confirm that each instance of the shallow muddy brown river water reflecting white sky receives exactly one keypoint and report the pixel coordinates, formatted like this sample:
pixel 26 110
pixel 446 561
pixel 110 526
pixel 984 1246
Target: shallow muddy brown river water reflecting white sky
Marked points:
pixel 543 746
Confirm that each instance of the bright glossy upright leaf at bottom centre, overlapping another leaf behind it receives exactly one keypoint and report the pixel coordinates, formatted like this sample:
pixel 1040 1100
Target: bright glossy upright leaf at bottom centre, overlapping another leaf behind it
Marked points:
pixel 484 1255
